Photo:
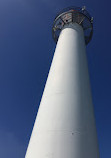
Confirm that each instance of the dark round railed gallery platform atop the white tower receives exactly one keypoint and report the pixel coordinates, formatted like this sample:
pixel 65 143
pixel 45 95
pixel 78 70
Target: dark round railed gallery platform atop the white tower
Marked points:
pixel 73 15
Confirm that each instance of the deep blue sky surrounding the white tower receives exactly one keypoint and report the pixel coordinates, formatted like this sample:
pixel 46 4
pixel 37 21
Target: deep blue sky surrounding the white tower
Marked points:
pixel 26 51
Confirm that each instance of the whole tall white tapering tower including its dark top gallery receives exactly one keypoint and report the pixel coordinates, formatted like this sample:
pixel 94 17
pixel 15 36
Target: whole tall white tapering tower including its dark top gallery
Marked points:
pixel 65 123
